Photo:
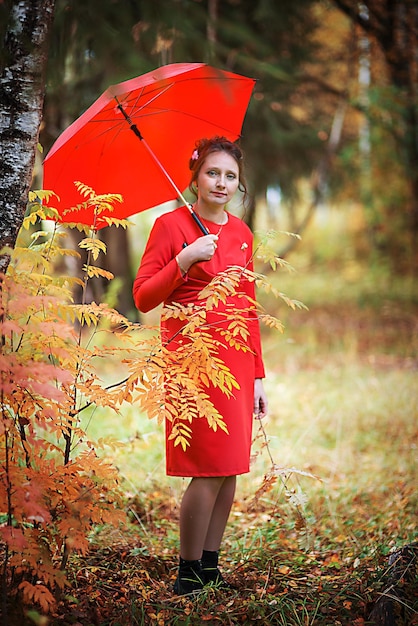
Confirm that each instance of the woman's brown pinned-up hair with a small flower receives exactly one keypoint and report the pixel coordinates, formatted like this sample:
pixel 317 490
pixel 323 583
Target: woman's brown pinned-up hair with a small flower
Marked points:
pixel 204 147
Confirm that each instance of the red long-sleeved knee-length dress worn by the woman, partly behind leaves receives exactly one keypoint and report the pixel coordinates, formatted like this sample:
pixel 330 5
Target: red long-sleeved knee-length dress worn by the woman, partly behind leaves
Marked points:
pixel 159 280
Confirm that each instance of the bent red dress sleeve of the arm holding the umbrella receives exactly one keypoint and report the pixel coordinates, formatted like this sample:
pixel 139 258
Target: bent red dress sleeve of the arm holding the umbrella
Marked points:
pixel 158 274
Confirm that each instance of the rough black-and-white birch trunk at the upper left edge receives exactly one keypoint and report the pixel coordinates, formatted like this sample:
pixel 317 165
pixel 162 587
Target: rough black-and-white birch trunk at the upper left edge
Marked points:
pixel 22 83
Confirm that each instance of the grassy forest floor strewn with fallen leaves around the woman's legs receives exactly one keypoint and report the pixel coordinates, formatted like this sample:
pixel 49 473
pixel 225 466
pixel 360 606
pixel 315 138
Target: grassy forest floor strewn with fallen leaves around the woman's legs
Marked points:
pixel 337 551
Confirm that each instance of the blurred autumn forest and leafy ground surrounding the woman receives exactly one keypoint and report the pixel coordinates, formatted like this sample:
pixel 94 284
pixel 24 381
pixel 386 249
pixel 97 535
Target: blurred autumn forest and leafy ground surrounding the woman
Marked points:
pixel 332 152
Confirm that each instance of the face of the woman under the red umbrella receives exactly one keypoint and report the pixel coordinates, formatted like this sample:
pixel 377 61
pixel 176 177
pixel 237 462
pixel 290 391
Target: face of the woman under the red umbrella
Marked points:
pixel 218 179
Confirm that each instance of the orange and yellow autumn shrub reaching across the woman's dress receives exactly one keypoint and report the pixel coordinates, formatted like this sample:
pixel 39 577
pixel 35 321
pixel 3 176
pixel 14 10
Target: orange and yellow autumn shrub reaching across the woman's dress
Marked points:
pixel 55 486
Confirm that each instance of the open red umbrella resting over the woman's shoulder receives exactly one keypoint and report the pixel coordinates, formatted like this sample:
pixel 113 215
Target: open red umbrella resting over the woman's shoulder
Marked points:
pixel 138 137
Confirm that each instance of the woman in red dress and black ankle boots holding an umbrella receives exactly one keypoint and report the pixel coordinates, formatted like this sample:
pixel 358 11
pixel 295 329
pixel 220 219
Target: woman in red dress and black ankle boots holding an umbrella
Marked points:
pixel 178 262
